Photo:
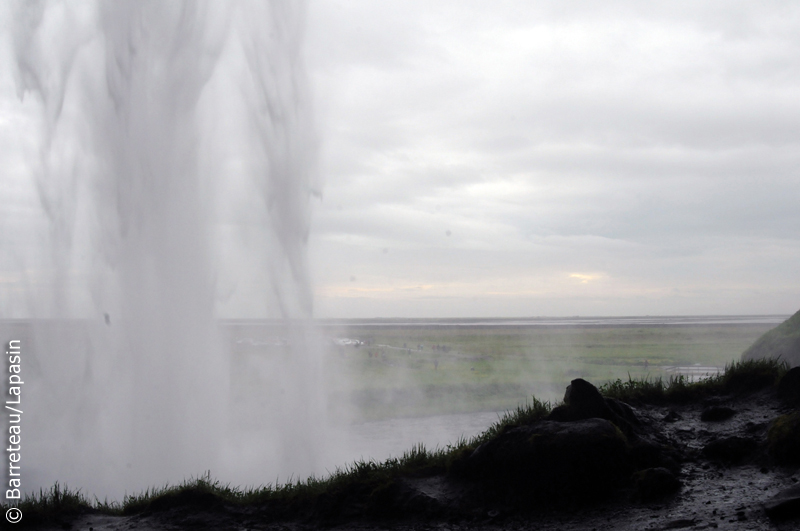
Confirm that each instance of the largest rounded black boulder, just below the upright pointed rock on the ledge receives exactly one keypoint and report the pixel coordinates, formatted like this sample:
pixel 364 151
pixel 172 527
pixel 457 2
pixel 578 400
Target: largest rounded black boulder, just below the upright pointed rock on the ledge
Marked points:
pixel 551 460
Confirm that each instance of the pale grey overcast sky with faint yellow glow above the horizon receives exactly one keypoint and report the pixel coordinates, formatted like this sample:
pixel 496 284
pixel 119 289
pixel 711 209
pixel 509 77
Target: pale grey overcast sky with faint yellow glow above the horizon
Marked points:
pixel 541 158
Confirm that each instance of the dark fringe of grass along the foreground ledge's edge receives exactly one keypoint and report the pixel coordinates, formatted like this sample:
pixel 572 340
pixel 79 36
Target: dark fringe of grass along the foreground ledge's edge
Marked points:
pixel 371 480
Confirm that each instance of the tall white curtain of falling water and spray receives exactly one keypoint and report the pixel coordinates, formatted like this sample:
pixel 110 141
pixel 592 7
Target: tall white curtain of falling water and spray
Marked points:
pixel 173 157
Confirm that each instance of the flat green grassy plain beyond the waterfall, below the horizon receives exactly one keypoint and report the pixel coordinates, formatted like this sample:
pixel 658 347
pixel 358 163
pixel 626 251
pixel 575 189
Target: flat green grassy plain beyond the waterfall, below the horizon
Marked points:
pixel 418 370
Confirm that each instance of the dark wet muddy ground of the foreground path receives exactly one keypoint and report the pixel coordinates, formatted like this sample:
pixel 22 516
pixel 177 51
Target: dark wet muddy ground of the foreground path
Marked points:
pixel 715 494
